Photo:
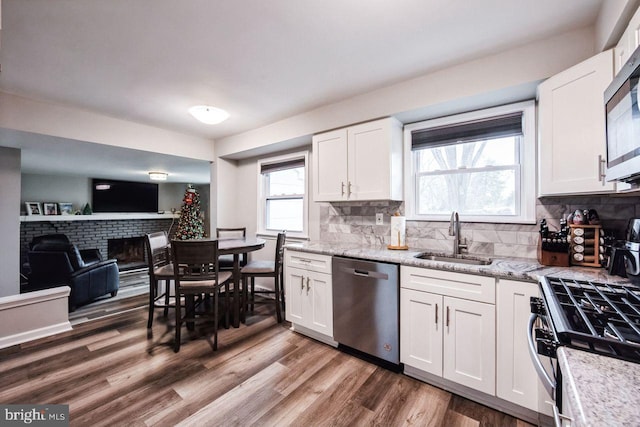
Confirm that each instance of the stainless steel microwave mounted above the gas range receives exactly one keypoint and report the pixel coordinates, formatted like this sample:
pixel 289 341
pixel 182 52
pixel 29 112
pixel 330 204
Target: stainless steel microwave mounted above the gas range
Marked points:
pixel 623 123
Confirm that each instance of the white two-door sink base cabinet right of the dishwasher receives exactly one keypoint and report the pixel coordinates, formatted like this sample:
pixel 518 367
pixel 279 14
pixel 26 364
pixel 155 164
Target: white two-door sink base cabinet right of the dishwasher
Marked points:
pixel 445 335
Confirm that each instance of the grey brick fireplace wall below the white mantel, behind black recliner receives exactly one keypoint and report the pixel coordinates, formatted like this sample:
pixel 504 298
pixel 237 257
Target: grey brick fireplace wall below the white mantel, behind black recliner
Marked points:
pixel 93 233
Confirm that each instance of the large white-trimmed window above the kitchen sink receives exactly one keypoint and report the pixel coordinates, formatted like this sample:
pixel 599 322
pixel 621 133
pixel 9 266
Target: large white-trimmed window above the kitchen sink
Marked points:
pixel 480 164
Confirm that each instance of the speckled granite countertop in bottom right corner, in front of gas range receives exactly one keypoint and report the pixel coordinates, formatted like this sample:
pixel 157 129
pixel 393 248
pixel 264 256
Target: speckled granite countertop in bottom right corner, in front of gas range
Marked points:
pixel 600 390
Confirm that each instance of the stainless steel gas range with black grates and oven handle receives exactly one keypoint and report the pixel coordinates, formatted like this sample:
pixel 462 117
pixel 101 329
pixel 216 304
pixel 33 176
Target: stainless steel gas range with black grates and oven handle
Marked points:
pixel 602 318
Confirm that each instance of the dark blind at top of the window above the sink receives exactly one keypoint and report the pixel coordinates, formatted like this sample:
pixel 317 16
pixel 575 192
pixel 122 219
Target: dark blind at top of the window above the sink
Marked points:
pixel 493 127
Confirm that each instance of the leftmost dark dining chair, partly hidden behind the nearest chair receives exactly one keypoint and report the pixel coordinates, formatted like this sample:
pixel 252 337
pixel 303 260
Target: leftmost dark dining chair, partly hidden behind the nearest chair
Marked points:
pixel 160 270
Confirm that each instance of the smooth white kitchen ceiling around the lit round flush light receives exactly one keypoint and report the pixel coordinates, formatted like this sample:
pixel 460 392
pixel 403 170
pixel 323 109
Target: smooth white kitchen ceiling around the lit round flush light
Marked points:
pixel 149 60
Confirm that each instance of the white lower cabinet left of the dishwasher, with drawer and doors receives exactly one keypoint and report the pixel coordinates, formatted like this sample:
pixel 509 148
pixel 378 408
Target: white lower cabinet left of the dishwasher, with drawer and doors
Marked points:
pixel 309 293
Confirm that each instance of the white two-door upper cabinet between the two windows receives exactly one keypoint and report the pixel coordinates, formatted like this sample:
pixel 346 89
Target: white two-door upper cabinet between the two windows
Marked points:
pixel 361 162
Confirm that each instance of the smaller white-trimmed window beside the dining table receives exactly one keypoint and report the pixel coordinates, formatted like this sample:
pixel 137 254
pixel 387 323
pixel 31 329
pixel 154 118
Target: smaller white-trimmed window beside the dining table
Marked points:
pixel 283 189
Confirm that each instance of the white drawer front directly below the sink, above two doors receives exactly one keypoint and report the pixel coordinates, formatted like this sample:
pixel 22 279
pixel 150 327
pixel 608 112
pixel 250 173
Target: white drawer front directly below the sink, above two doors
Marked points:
pixel 459 285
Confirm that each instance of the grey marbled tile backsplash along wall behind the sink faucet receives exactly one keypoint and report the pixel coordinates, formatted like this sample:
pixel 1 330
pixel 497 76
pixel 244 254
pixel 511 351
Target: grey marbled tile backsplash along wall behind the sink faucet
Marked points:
pixel 355 222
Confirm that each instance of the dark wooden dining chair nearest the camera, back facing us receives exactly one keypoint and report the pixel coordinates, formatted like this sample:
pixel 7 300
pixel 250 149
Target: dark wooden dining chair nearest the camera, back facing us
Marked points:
pixel 198 279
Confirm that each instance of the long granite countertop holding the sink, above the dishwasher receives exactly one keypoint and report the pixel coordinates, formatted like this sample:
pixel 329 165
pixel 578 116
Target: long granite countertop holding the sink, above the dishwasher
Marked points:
pixel 523 269
